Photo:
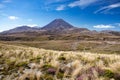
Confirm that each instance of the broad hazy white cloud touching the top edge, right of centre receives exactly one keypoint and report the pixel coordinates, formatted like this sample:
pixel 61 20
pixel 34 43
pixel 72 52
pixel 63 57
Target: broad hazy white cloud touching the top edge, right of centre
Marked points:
pixel 82 3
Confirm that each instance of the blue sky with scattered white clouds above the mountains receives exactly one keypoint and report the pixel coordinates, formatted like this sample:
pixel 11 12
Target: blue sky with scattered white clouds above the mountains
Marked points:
pixel 91 14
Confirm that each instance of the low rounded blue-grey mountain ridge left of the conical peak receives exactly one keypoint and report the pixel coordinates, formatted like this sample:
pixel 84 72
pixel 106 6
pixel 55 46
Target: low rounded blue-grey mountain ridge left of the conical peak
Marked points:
pixel 20 29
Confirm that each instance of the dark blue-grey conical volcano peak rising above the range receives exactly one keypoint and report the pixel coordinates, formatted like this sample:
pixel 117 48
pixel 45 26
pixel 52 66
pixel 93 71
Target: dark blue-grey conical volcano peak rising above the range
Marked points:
pixel 58 24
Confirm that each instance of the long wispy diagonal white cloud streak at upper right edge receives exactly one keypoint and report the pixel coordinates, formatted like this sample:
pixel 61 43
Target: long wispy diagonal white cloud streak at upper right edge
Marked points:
pixel 107 8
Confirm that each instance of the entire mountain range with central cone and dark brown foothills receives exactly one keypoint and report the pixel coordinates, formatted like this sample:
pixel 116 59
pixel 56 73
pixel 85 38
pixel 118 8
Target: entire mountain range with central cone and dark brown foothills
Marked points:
pixel 57 29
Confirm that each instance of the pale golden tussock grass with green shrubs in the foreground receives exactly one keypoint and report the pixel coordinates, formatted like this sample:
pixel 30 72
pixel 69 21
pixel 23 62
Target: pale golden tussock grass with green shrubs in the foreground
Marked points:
pixel 29 63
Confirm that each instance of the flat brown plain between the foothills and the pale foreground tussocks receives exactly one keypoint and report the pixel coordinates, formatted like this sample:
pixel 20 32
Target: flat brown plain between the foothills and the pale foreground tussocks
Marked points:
pixel 109 47
